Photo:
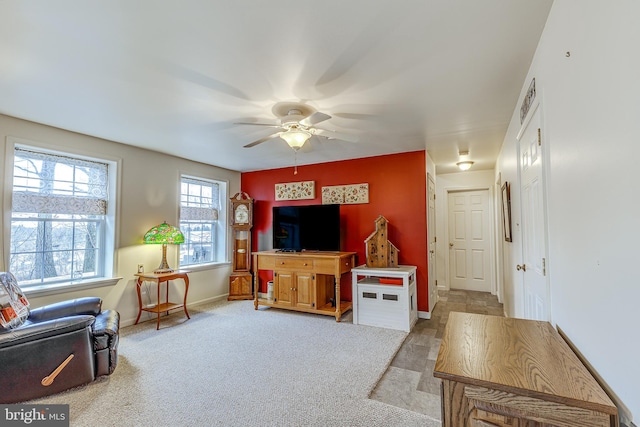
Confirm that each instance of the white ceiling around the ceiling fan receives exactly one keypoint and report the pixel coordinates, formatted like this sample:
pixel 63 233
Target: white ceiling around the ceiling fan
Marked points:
pixel 174 76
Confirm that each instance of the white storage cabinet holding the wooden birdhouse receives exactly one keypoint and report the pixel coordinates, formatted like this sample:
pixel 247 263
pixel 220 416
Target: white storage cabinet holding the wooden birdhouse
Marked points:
pixel 384 305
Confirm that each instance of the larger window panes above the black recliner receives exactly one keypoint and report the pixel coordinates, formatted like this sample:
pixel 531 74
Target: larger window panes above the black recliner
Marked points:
pixel 59 218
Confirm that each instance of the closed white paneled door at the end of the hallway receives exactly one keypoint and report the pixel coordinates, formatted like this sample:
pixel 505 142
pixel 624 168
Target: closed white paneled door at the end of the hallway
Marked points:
pixel 469 240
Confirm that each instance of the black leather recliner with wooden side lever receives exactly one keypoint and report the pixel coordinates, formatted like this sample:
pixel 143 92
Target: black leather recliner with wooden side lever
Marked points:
pixel 59 346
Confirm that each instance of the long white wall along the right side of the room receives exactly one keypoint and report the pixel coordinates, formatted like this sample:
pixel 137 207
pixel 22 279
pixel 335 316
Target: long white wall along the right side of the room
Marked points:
pixel 591 131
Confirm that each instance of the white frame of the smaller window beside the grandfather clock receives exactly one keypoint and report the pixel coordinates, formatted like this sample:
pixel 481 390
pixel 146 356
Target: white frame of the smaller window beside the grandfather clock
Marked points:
pixel 220 225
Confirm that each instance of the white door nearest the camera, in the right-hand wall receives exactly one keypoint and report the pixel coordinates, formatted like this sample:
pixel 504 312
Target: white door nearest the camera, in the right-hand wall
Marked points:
pixel 534 244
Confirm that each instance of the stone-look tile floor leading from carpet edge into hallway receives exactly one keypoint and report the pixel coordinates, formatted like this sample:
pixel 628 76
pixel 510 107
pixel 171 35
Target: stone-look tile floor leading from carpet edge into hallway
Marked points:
pixel 409 382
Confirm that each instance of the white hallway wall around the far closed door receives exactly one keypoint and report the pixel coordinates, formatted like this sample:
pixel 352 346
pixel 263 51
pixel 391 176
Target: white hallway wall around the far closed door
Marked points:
pixel 469 180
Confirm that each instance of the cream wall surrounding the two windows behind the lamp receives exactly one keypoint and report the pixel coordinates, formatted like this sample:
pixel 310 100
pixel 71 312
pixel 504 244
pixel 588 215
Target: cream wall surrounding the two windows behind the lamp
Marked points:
pixel 149 195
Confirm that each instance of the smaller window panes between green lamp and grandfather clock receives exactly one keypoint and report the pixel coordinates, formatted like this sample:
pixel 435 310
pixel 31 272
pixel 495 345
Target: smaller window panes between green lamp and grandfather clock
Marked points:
pixel 199 212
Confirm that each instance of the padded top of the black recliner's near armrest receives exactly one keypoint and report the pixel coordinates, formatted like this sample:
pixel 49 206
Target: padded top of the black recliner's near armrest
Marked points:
pixel 48 328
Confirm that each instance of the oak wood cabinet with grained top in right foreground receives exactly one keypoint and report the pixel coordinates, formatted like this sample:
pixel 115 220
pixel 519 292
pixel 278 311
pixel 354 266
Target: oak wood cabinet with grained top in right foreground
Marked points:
pixel 499 371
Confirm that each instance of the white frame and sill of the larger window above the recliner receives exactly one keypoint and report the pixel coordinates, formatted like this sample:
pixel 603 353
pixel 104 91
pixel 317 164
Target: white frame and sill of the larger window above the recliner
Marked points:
pixel 107 277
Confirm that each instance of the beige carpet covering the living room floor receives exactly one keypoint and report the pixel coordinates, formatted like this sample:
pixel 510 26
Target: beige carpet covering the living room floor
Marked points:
pixel 233 366
